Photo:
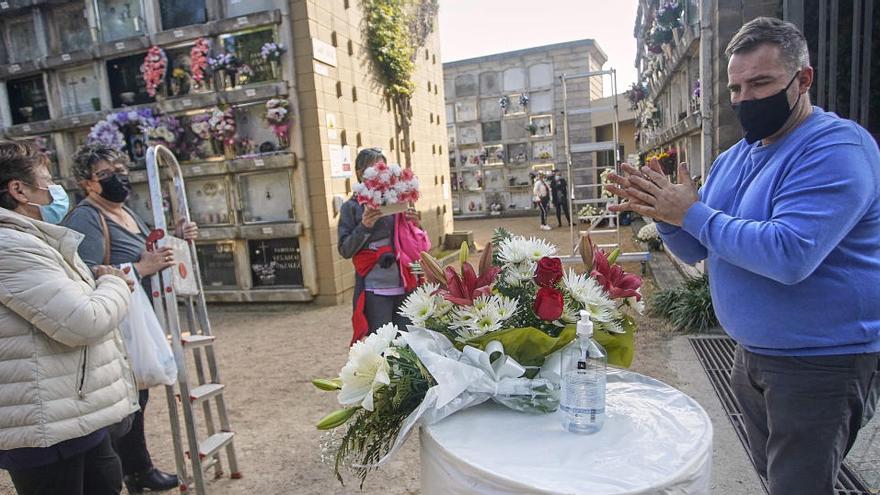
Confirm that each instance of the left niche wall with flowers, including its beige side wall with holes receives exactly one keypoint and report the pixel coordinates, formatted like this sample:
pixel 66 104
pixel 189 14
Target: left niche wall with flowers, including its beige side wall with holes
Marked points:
pixel 265 192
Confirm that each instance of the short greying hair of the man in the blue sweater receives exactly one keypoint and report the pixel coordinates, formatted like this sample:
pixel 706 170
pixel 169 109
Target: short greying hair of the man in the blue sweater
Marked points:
pixel 769 30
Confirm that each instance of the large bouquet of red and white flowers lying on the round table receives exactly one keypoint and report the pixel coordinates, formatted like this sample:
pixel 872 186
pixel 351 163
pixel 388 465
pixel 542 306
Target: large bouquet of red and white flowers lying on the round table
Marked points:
pixel 477 333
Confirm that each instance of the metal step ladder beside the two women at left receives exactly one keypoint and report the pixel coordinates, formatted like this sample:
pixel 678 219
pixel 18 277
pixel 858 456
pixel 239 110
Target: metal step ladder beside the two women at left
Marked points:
pixel 182 286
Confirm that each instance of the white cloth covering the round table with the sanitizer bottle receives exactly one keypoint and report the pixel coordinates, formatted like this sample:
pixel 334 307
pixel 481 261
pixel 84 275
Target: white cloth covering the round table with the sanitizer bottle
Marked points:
pixel 655 440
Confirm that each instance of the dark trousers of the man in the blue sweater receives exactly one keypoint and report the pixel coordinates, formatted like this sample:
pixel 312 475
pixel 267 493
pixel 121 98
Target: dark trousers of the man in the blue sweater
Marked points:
pixel 802 415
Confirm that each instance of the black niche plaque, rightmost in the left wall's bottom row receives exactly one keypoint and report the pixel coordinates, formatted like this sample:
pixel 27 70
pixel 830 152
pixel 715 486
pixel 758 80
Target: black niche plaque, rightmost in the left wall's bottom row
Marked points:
pixel 276 262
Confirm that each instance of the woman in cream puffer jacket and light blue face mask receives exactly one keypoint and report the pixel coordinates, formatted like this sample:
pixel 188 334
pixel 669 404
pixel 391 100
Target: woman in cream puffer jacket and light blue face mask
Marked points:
pixel 64 374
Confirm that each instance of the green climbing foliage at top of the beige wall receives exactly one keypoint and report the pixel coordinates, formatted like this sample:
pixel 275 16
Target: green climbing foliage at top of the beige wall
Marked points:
pixel 388 38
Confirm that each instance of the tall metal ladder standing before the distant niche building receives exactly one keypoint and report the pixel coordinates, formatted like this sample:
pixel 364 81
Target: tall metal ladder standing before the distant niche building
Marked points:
pixel 594 189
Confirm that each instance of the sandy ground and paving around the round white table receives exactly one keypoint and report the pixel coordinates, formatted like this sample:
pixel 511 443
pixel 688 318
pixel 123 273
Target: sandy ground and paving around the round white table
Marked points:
pixel 269 354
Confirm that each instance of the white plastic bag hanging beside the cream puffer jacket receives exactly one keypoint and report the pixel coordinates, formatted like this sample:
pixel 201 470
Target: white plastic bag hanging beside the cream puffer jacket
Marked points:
pixel 152 360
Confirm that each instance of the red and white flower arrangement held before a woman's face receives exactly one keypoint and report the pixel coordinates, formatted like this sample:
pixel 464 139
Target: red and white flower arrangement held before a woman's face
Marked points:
pixel 385 184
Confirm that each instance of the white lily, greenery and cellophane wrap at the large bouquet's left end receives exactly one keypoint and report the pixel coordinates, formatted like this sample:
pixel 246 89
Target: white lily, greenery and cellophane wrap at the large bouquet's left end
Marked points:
pixel 394 381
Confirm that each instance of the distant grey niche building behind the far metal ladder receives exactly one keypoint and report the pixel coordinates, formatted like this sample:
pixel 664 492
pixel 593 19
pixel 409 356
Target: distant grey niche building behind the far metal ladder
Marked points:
pixel 504 118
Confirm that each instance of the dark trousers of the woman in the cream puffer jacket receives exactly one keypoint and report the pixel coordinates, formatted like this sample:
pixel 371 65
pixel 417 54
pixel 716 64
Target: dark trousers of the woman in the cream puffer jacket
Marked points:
pixel 93 472
